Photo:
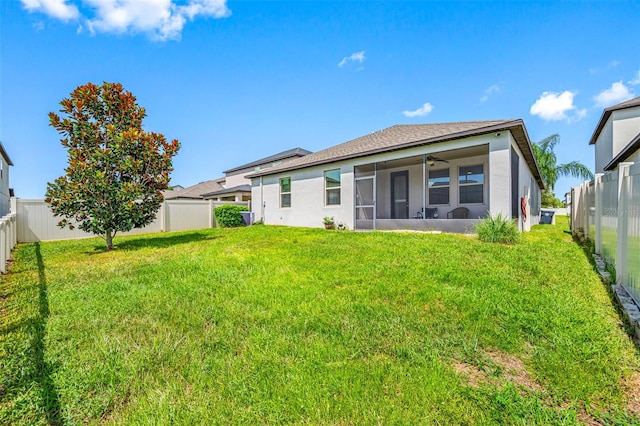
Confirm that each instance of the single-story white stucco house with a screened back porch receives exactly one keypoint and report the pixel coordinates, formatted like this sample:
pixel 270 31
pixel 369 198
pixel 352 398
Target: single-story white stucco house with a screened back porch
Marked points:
pixel 425 176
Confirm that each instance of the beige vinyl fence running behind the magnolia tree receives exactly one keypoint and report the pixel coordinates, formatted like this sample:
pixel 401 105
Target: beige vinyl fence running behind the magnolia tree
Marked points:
pixel 35 222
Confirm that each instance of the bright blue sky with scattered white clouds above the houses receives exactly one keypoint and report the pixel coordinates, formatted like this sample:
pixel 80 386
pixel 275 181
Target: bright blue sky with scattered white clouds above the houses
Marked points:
pixel 237 81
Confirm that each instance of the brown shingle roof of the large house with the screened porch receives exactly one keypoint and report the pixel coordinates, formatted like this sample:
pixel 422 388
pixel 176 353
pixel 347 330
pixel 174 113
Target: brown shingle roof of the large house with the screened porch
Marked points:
pixel 409 135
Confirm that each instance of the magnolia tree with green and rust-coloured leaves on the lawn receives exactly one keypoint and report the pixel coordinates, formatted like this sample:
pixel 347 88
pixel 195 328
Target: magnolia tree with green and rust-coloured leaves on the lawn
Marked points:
pixel 116 170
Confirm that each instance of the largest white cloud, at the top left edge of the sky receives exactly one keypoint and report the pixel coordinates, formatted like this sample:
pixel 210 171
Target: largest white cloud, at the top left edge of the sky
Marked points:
pixel 161 19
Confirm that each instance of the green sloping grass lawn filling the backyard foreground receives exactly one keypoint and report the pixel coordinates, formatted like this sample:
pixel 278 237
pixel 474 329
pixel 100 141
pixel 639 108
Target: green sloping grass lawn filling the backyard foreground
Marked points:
pixel 267 325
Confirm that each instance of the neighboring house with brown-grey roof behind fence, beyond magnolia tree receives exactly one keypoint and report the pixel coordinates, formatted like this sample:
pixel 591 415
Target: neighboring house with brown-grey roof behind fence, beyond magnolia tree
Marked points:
pixel 234 186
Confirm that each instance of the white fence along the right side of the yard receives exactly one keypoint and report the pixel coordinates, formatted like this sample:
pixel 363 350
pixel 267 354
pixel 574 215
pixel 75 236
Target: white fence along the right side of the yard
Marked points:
pixel 607 211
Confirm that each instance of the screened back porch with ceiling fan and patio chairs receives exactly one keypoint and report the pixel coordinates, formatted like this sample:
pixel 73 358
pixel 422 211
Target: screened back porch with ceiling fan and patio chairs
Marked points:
pixel 444 191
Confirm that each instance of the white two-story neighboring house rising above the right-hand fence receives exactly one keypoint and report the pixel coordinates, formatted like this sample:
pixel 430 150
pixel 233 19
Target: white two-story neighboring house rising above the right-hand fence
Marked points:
pixel 617 136
